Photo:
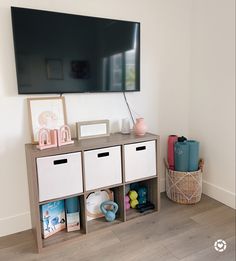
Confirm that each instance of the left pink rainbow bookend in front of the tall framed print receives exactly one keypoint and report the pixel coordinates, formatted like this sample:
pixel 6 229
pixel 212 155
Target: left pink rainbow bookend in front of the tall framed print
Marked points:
pixel 47 139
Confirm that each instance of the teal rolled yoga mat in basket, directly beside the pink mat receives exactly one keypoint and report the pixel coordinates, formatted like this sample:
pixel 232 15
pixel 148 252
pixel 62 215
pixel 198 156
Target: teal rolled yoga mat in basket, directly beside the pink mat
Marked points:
pixel 181 156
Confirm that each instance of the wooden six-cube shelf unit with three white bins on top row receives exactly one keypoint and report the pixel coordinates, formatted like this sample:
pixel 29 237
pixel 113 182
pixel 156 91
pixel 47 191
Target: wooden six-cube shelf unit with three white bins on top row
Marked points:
pixel 87 166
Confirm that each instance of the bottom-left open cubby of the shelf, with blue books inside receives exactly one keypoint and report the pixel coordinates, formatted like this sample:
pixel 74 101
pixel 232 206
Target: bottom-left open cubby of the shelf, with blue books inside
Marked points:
pixel 55 219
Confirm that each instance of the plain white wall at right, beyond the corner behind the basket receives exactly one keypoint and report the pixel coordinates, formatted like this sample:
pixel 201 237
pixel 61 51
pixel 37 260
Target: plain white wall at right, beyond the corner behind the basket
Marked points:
pixel 212 94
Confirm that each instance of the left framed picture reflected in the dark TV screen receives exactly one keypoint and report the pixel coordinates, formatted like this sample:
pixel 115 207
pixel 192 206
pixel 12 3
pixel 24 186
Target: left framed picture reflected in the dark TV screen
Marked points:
pixel 54 69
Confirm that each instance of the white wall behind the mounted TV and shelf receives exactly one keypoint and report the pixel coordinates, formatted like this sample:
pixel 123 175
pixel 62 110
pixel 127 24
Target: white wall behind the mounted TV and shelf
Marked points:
pixel 165 54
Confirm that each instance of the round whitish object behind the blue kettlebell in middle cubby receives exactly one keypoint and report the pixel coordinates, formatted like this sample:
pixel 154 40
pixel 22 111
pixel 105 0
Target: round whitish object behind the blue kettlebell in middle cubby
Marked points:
pixel 94 201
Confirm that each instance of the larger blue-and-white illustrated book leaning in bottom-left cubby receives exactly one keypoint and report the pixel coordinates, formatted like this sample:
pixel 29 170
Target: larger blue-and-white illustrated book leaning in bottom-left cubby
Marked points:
pixel 52 218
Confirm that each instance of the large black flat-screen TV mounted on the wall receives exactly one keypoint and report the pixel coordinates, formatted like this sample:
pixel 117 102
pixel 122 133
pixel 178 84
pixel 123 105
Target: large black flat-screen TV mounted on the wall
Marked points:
pixel 65 53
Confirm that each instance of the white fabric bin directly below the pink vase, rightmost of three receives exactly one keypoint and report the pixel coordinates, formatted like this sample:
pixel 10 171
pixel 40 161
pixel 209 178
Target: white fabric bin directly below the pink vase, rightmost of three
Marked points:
pixel 140 160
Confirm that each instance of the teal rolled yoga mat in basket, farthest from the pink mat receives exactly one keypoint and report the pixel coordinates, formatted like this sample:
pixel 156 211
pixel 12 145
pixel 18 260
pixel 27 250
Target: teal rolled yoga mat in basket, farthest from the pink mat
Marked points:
pixel 193 155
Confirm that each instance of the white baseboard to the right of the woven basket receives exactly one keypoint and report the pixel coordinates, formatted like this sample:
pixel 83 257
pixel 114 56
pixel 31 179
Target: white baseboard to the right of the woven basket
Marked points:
pixel 220 194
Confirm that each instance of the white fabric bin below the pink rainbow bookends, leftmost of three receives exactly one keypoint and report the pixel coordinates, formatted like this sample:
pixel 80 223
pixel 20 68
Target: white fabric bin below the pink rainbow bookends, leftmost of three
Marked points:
pixel 59 176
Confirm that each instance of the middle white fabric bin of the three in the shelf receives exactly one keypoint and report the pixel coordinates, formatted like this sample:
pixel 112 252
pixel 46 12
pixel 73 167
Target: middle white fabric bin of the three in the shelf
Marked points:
pixel 102 167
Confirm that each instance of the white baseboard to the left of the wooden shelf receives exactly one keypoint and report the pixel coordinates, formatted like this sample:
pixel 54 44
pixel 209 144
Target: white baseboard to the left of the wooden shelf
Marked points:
pixel 14 224
